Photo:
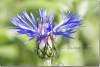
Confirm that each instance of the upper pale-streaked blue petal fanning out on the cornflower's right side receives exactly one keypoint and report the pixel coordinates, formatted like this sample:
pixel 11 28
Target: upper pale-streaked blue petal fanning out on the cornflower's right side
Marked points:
pixel 69 21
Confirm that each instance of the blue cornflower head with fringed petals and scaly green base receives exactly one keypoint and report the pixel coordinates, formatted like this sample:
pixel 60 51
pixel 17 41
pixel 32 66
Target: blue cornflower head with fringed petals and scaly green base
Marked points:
pixel 45 29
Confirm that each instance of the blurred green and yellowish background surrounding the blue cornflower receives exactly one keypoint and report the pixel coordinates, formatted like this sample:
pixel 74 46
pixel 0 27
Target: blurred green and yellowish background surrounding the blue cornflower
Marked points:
pixel 81 51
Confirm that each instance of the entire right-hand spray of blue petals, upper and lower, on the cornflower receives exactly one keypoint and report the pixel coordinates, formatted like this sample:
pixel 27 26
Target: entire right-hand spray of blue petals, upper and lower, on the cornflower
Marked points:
pixel 69 23
